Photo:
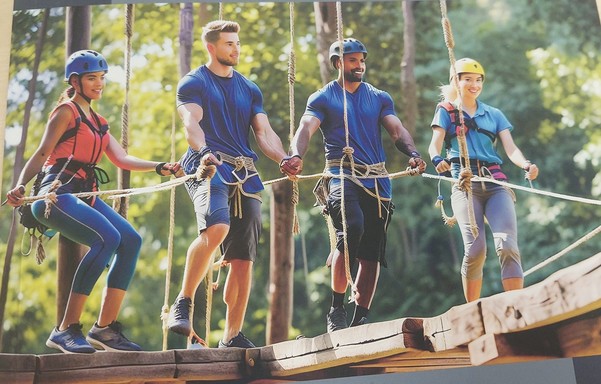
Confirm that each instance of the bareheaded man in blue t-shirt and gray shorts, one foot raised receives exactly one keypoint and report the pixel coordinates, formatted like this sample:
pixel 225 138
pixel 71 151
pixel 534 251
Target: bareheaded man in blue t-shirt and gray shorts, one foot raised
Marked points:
pixel 219 107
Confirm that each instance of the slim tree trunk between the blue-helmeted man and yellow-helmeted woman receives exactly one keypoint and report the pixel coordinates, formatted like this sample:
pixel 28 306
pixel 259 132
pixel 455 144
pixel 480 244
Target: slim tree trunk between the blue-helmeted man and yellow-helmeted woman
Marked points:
pixel 408 83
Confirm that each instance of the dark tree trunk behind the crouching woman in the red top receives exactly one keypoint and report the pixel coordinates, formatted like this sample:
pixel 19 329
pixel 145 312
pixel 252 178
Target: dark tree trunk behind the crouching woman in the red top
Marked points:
pixel 77 35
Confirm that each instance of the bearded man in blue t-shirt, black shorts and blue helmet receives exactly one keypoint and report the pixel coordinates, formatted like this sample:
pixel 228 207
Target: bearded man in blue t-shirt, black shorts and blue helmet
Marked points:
pixel 367 189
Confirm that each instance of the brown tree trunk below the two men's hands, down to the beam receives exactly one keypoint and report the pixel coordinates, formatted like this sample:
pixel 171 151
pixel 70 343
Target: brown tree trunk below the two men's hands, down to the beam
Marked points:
pixel 281 263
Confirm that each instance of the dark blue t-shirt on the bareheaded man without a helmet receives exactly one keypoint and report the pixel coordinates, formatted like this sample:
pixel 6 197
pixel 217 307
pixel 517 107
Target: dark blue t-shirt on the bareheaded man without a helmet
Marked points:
pixel 229 104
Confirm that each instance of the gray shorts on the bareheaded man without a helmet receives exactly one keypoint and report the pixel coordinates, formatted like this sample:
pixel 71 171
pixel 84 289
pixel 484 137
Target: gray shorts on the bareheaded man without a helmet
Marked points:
pixel 243 237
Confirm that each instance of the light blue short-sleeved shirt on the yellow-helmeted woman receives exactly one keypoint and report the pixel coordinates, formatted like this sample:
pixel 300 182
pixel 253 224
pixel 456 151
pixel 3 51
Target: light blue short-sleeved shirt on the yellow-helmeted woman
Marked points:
pixel 480 145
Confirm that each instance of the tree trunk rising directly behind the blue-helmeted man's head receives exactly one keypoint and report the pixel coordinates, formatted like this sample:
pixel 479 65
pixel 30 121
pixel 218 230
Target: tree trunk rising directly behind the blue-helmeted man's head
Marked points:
pixel 325 24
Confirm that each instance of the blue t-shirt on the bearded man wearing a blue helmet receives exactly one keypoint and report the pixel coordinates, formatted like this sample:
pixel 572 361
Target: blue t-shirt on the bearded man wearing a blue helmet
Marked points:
pixel 366 108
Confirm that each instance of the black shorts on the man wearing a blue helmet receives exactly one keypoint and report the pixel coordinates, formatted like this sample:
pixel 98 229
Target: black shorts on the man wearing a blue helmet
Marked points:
pixel 366 230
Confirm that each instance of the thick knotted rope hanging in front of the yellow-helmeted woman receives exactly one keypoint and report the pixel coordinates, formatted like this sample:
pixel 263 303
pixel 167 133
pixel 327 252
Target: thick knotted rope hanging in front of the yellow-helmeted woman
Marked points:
pixel 465 175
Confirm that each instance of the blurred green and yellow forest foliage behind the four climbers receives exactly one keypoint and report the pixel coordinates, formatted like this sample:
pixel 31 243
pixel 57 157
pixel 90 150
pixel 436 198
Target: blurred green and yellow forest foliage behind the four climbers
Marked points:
pixel 543 69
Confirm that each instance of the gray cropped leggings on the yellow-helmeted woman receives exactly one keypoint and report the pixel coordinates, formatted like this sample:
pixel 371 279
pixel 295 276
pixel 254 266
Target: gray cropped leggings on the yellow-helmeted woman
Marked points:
pixel 496 204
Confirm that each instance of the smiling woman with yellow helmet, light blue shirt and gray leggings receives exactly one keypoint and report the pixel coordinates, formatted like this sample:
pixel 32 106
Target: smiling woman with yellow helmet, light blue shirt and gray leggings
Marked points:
pixel 483 125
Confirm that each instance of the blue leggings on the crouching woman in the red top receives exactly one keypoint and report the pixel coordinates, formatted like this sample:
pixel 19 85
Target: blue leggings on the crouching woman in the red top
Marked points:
pixel 103 230
